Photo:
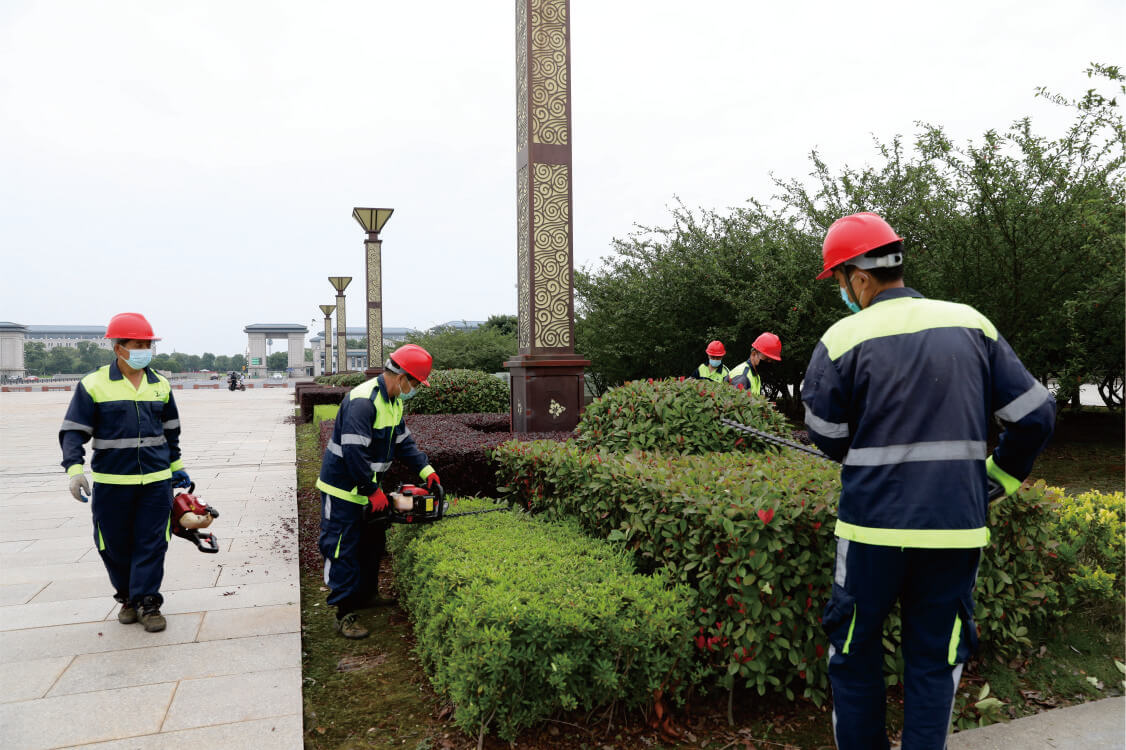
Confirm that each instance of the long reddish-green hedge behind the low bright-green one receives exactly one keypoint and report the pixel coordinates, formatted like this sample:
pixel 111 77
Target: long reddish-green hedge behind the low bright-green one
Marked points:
pixel 753 534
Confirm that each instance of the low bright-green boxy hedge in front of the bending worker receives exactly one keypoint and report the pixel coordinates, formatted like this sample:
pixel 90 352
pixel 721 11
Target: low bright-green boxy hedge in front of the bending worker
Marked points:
pixel 517 620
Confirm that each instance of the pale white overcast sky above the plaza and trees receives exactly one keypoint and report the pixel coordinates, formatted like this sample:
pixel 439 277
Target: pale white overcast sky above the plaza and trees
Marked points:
pixel 199 162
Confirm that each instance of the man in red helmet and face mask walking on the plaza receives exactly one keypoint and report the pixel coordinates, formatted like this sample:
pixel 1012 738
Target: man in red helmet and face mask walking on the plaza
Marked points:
pixel 129 412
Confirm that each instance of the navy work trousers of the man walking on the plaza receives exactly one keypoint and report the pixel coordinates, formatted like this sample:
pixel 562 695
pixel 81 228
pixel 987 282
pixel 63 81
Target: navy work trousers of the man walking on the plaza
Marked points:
pixel 131 531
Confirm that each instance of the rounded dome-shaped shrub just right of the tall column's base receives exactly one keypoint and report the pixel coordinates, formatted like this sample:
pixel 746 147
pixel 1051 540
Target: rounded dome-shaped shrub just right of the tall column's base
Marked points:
pixel 677 417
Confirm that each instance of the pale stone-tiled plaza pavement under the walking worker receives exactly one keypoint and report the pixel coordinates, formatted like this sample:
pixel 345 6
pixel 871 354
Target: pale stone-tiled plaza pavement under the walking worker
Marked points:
pixel 227 672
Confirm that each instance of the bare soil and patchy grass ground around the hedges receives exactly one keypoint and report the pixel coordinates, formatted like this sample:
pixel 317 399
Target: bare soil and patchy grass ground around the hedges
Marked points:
pixel 373 694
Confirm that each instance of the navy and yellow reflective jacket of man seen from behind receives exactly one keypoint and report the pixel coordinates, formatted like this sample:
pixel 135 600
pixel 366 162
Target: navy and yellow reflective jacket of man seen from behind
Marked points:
pixel 901 394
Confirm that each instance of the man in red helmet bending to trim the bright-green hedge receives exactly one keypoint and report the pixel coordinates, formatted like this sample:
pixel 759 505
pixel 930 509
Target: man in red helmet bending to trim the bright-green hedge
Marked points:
pixel 371 432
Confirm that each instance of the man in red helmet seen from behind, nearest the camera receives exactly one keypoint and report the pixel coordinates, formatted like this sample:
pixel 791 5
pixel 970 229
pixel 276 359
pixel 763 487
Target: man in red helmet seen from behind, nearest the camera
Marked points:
pixel 902 395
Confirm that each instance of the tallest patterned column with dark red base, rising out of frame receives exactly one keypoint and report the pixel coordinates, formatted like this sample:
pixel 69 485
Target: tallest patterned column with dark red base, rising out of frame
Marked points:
pixel 548 381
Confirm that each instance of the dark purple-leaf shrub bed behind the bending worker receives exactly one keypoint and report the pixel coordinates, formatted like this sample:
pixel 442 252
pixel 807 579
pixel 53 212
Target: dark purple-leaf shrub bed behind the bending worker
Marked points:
pixel 459 448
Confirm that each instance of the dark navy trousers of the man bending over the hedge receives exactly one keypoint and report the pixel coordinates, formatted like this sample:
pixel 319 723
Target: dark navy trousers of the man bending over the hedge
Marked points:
pixel 352 544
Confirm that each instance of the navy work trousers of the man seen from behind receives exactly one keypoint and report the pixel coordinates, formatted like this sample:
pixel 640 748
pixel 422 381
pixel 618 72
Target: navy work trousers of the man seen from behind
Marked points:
pixel 935 590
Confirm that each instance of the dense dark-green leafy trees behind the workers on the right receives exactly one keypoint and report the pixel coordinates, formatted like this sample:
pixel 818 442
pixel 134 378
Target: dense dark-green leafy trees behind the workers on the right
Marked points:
pixel 1029 230
